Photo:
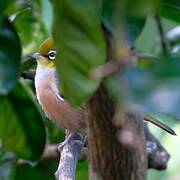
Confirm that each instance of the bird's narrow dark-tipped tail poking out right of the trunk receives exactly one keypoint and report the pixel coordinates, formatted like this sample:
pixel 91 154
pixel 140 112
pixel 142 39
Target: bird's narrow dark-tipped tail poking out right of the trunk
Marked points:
pixel 159 124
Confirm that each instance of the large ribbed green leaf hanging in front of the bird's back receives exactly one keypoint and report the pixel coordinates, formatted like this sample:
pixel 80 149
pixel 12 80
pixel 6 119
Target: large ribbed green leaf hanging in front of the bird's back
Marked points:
pixel 81 47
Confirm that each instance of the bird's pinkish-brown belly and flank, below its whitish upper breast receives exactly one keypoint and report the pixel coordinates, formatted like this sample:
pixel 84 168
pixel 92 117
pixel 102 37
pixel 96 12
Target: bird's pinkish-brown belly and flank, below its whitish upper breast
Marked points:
pixel 60 111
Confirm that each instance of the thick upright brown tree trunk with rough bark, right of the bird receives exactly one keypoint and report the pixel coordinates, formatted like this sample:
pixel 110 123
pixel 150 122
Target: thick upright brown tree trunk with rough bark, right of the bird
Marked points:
pixel 114 153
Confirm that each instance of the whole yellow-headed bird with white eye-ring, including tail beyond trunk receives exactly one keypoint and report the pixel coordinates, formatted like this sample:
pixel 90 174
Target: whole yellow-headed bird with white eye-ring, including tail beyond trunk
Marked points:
pixel 50 98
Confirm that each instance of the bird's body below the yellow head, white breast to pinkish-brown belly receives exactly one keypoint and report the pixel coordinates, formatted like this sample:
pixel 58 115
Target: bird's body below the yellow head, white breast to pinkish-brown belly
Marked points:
pixel 54 106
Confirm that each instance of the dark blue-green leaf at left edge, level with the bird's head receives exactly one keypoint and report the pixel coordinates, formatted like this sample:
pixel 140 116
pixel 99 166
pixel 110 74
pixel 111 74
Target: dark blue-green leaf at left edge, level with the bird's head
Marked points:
pixel 10 54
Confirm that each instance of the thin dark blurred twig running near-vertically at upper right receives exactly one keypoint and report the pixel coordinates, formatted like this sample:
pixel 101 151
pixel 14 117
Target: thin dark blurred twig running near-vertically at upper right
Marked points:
pixel 162 35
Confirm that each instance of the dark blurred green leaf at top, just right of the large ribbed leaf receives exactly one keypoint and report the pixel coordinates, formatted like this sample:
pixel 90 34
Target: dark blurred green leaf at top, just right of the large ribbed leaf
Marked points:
pixel 119 18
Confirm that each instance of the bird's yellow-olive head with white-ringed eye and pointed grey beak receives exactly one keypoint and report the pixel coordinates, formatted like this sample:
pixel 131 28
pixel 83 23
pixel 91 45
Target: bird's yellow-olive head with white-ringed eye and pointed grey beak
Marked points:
pixel 46 55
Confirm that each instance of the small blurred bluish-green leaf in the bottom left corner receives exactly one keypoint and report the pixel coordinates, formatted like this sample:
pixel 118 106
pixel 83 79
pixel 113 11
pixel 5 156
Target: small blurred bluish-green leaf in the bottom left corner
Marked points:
pixel 7 164
